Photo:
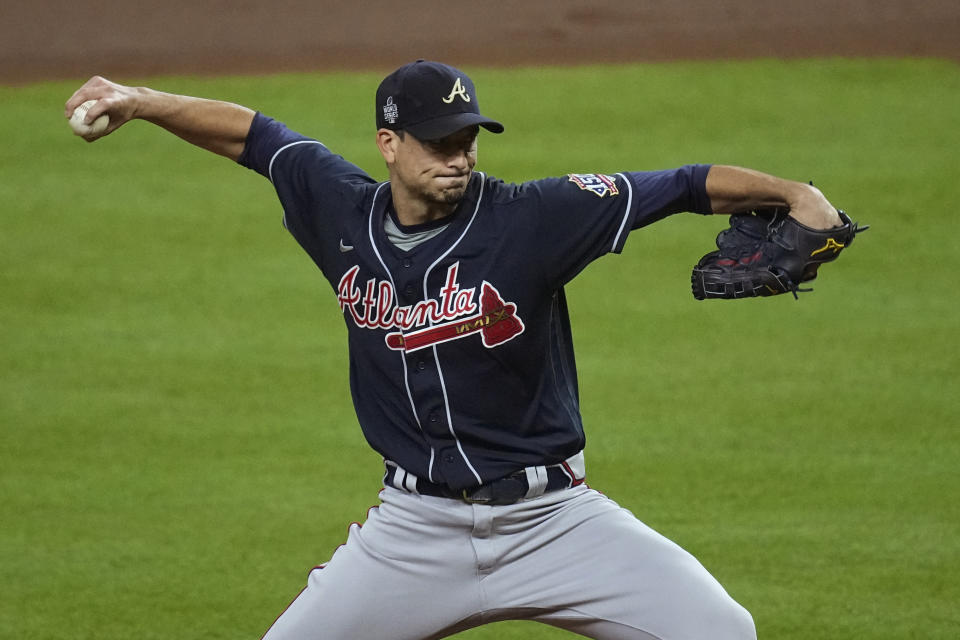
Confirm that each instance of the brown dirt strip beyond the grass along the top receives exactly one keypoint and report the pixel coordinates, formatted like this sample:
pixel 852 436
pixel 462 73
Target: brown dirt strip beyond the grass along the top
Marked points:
pixel 60 39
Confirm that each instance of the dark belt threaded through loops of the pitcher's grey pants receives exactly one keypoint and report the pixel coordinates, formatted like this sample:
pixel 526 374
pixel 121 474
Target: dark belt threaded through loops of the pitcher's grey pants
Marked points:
pixel 507 490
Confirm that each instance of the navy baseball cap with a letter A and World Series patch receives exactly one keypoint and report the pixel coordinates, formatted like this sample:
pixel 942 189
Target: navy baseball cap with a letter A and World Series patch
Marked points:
pixel 431 100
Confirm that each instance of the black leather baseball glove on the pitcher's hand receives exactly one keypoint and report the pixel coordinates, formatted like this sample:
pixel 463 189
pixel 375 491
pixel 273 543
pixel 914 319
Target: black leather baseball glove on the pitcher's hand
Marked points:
pixel 766 253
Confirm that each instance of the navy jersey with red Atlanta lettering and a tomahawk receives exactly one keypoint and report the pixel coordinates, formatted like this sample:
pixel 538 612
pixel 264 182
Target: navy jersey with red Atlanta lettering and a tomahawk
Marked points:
pixel 461 360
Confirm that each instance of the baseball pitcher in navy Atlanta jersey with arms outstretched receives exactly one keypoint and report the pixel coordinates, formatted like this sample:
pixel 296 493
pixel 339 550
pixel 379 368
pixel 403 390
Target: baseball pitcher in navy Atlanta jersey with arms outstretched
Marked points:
pixel 462 372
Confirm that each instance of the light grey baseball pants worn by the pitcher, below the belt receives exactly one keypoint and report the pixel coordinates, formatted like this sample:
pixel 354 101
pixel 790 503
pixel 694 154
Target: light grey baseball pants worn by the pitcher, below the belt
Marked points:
pixel 424 567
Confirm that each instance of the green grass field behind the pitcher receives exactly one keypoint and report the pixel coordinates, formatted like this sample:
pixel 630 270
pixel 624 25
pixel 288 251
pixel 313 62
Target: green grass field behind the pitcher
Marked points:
pixel 177 443
